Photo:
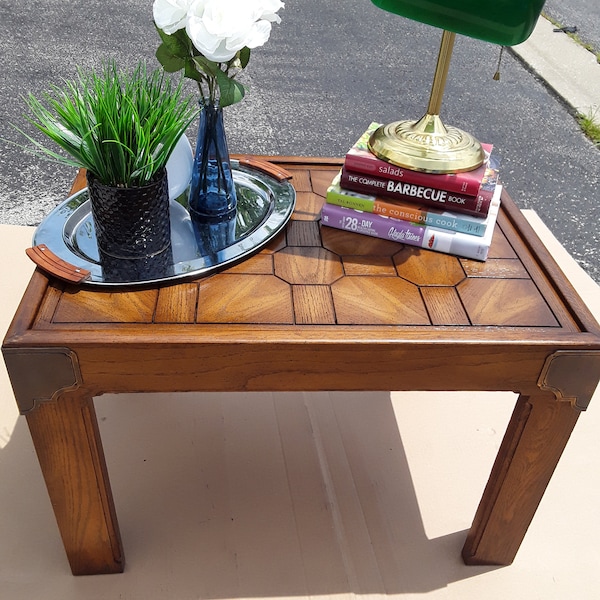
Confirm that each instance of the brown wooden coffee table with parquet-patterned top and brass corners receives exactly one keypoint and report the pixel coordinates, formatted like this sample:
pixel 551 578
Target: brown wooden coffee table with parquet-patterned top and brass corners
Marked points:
pixel 319 309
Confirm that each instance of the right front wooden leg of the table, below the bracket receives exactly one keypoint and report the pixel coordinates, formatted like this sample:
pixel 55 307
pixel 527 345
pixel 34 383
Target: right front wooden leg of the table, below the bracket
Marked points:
pixel 536 436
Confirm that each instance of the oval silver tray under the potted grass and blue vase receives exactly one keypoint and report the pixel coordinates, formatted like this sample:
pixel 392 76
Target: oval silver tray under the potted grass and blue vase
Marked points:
pixel 264 205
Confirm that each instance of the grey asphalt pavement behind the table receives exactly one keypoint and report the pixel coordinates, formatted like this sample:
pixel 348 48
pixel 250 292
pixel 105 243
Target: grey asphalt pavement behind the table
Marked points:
pixel 328 70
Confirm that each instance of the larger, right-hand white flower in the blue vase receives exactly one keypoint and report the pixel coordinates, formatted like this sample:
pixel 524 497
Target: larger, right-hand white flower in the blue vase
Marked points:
pixel 220 28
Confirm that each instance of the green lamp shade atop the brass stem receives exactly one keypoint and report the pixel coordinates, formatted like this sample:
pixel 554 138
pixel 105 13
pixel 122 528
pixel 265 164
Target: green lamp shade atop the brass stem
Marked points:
pixel 504 22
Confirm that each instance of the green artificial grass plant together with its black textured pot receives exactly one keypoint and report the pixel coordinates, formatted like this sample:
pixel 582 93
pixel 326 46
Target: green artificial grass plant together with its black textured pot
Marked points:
pixel 121 128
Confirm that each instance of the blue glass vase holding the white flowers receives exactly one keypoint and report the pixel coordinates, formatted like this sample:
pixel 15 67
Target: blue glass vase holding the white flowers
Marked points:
pixel 212 196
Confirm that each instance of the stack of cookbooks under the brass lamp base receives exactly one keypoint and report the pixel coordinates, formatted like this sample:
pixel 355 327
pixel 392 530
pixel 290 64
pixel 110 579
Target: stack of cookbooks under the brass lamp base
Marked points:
pixel 452 213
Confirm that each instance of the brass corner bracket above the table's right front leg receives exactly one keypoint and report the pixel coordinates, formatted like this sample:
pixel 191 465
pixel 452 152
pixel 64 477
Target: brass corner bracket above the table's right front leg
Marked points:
pixel 572 376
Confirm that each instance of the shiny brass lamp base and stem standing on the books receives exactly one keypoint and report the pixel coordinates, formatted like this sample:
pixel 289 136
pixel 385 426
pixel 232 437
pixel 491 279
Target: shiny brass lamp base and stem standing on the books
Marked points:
pixel 427 144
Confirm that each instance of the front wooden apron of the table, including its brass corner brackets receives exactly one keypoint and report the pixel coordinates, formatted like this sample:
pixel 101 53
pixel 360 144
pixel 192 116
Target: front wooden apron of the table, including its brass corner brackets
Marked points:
pixel 570 374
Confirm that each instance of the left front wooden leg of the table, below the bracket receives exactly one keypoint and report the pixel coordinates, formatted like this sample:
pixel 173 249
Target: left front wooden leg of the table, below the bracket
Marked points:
pixel 67 441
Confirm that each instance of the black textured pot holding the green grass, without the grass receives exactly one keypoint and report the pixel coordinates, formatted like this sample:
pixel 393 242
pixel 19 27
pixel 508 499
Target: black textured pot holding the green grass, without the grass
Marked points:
pixel 133 229
